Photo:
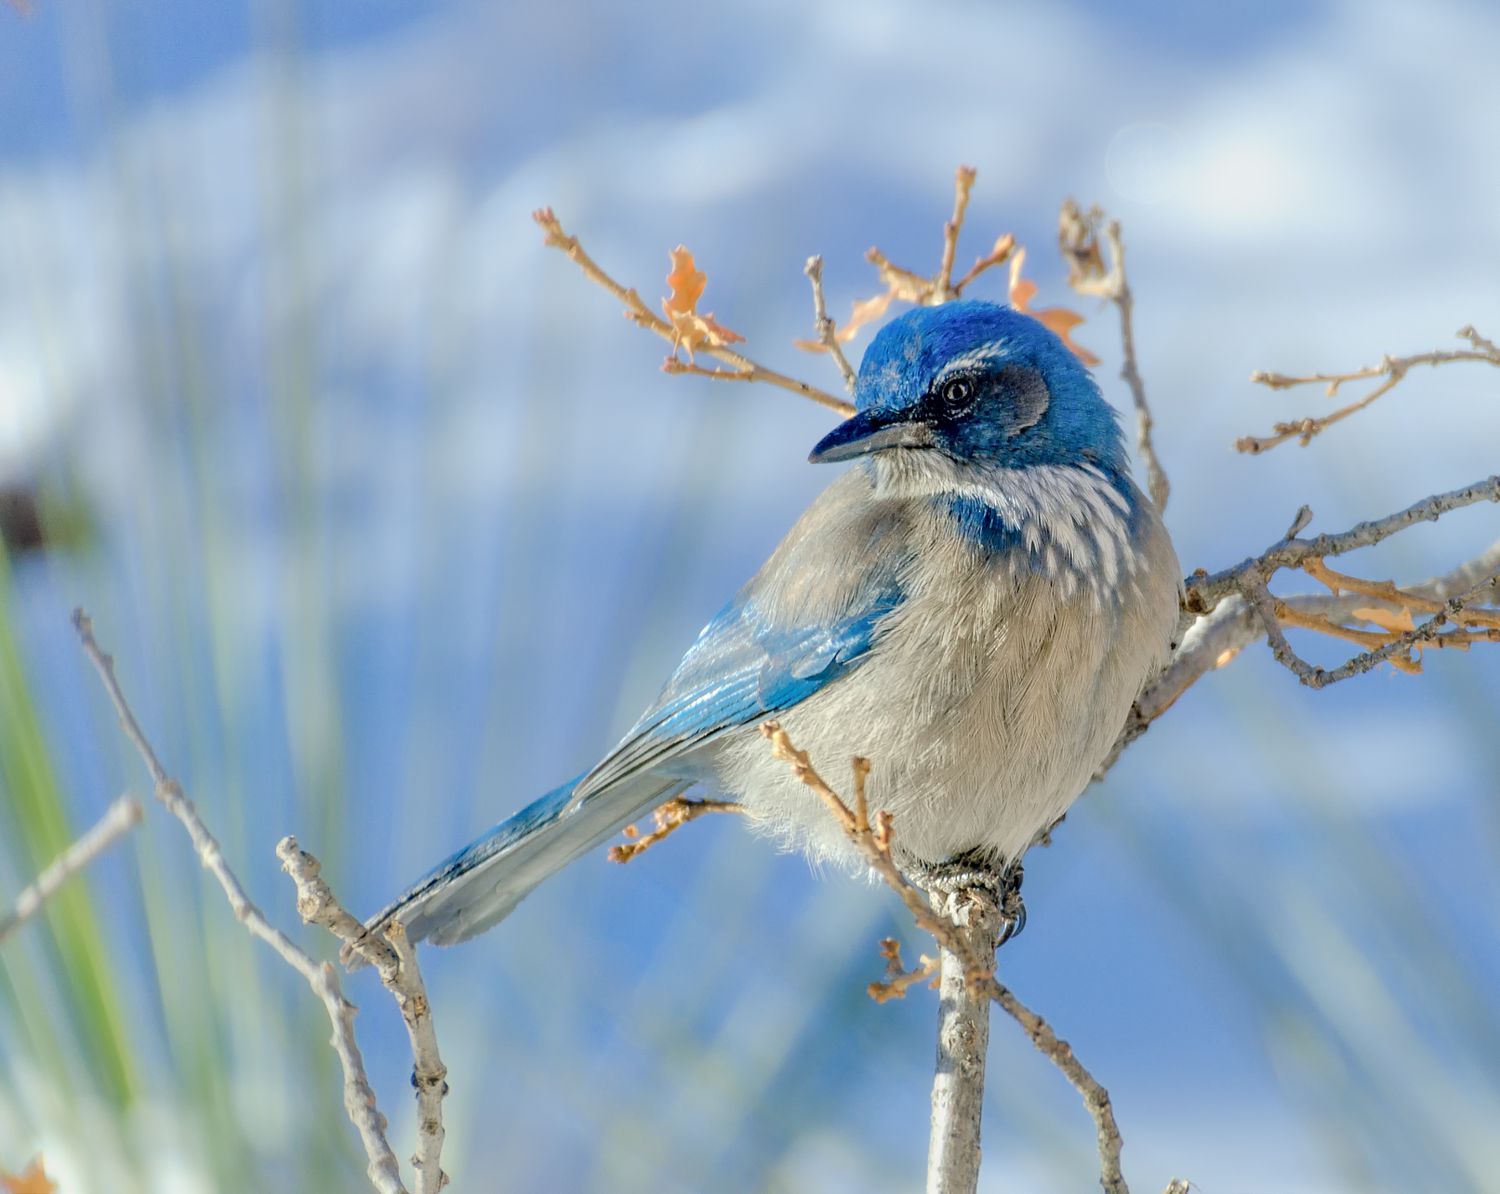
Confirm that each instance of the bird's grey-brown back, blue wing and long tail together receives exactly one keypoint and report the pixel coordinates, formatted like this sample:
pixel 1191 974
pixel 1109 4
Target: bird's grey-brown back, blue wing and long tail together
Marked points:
pixel 809 617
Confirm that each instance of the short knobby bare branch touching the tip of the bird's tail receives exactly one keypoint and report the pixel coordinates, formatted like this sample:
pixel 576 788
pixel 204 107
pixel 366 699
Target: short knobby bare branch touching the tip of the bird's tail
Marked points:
pixel 395 959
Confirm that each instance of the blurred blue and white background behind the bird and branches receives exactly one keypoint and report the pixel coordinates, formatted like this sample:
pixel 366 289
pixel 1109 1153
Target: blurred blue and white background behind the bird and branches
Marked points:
pixel 392 523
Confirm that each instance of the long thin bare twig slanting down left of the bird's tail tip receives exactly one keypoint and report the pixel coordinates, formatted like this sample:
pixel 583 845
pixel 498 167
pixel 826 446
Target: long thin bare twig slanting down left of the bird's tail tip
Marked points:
pixel 359 1097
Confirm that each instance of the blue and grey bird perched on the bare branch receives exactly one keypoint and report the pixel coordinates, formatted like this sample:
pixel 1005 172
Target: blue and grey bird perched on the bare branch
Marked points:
pixel 973 605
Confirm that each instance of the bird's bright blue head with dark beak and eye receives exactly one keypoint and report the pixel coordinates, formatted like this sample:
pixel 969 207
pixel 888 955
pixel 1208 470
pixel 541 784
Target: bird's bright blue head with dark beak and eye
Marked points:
pixel 982 385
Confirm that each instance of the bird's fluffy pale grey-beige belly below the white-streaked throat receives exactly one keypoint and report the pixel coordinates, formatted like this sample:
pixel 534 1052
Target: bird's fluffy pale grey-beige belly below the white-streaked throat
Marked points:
pixel 985 712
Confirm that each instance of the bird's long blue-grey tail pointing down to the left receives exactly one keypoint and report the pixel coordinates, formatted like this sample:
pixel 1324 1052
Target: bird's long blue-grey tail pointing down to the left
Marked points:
pixel 479 886
